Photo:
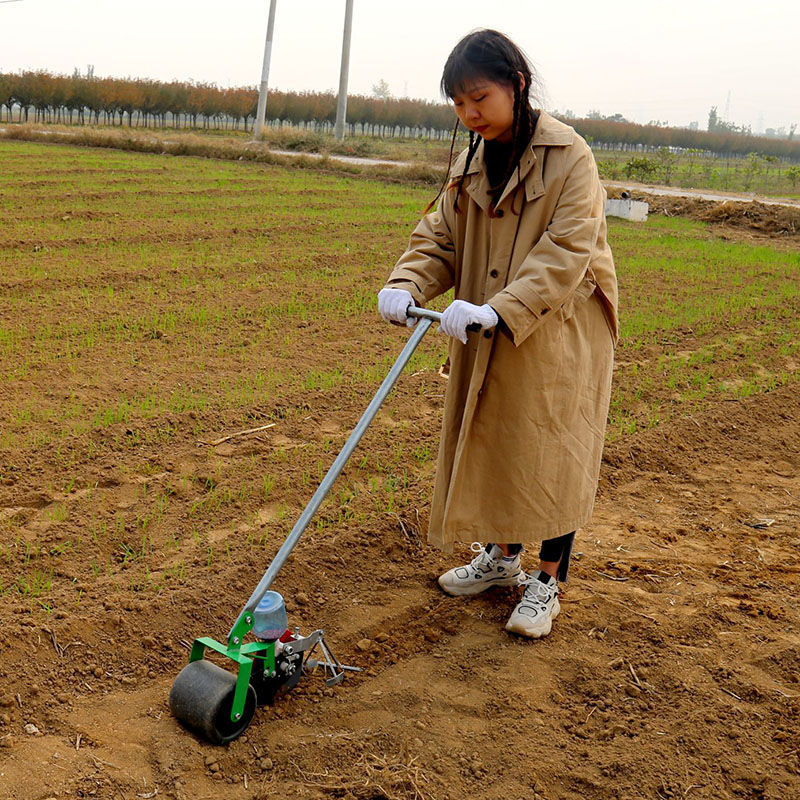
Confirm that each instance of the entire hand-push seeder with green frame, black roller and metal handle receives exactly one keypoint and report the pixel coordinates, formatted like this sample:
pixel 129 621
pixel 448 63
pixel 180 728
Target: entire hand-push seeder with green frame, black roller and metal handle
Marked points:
pixel 267 656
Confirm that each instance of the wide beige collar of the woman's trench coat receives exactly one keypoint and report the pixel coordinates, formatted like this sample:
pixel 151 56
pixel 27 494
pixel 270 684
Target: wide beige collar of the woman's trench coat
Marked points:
pixel 549 132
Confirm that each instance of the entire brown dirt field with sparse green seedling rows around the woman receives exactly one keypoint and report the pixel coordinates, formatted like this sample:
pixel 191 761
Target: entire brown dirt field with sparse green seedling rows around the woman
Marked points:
pixel 672 672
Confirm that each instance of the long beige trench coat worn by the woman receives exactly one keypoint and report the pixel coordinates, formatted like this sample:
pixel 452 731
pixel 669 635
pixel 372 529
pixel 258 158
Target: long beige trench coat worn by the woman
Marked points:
pixel 525 408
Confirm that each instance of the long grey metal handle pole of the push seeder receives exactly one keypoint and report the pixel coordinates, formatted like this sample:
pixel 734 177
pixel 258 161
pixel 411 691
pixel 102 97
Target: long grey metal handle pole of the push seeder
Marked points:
pixel 426 319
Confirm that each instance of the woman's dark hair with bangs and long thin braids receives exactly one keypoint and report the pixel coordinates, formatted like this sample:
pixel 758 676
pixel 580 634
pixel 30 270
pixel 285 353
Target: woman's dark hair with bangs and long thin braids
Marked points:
pixel 490 55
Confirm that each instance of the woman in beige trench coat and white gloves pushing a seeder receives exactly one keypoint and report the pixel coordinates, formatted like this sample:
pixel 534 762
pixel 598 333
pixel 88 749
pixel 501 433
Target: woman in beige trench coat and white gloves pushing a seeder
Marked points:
pixel 520 236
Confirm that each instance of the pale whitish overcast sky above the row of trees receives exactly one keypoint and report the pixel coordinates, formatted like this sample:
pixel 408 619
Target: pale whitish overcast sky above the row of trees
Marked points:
pixel 666 61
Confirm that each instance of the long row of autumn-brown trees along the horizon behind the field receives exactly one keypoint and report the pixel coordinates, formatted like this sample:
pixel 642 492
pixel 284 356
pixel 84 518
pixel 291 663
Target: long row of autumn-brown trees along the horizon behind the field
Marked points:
pixel 43 97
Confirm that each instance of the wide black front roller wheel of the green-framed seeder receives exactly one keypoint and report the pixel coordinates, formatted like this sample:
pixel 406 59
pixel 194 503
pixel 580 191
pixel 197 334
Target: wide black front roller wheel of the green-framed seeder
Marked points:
pixel 201 698
